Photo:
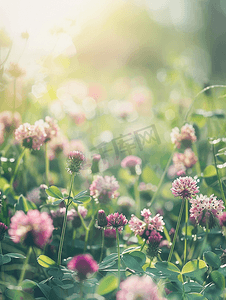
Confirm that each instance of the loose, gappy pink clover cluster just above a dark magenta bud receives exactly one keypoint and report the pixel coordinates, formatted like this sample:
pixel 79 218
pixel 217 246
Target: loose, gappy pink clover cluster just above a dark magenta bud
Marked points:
pixel 147 229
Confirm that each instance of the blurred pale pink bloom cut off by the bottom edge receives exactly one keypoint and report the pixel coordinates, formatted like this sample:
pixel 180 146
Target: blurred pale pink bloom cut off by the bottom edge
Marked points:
pixel 135 287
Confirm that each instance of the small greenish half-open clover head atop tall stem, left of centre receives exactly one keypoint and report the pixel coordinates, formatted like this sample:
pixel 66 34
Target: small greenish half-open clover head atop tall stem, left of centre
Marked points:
pixel 75 162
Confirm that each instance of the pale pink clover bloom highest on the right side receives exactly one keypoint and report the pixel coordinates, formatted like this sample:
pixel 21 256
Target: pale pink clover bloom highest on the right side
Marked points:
pixel 186 136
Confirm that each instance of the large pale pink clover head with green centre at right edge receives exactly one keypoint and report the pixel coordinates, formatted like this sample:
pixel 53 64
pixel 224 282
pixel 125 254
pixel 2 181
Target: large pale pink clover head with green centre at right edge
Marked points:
pixel 206 209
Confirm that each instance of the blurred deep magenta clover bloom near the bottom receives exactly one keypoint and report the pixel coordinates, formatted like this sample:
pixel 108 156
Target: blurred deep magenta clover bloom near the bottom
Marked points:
pixel 84 265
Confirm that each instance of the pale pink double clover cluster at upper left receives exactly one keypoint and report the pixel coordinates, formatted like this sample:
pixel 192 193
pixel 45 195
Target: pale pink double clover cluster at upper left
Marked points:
pixel 34 136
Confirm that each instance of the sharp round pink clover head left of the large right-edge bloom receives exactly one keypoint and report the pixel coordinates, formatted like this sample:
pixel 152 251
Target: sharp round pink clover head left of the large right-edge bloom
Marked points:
pixel 184 187
